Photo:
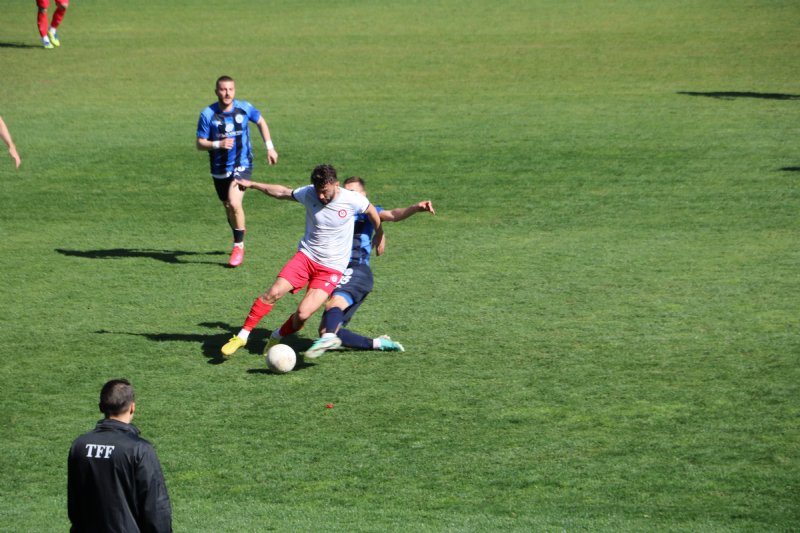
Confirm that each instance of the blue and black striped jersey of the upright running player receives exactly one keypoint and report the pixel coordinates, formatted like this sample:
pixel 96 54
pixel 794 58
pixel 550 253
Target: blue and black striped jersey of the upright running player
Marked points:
pixel 216 125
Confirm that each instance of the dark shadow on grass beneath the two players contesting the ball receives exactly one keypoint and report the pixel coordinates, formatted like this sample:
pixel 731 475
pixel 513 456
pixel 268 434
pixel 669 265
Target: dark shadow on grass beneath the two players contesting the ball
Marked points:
pixel 212 342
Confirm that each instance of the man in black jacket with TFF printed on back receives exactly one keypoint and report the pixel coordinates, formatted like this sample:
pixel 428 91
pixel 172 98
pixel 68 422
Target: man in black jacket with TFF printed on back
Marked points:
pixel 114 478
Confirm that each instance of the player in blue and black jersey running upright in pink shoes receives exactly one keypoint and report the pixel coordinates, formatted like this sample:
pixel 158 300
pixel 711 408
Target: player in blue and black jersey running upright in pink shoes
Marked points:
pixel 223 131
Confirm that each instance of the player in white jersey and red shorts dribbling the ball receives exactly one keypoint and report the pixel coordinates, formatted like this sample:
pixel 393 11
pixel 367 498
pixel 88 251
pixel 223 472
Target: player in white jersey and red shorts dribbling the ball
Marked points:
pixel 322 256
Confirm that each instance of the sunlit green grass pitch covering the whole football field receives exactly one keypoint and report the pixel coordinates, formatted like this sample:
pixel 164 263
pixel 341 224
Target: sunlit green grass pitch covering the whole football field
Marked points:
pixel 601 324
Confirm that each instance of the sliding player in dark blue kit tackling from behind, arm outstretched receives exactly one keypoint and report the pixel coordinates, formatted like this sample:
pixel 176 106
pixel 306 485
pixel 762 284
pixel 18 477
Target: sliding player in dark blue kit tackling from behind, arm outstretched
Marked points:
pixel 357 282
